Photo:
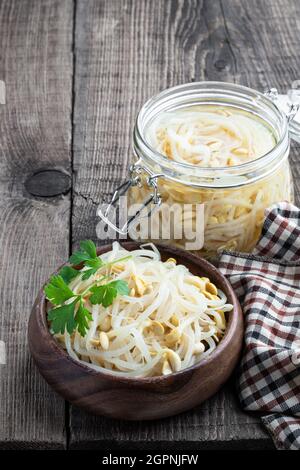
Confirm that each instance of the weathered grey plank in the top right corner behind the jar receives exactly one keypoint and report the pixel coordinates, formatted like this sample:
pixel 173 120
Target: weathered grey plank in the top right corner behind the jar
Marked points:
pixel 264 40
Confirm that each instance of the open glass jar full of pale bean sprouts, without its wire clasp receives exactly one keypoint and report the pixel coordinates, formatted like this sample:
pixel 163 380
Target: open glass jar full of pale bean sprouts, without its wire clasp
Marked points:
pixel 218 144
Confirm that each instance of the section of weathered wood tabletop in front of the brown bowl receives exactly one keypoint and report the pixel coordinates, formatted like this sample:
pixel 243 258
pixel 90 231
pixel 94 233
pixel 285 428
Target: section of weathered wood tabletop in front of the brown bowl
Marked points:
pixel 216 424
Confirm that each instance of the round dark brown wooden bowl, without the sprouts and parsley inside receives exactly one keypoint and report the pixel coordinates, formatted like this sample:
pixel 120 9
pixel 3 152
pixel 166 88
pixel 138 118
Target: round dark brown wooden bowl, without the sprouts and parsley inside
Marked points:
pixel 139 398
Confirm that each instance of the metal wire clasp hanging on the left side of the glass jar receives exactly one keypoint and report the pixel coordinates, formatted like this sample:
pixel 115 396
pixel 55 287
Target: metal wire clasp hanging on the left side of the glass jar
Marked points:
pixel 152 203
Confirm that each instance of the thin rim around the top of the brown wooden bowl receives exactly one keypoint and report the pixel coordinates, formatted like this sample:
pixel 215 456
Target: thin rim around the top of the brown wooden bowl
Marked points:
pixel 230 331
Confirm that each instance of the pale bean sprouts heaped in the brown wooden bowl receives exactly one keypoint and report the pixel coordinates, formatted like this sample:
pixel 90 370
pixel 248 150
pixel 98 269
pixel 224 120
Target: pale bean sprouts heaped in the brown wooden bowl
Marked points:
pixel 167 320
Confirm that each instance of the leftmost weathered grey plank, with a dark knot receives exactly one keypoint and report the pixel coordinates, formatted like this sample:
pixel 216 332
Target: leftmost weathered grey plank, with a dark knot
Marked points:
pixel 35 129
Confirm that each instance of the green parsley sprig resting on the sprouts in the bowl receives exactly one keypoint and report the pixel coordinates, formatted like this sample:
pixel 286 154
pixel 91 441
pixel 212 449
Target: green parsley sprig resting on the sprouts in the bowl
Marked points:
pixel 69 312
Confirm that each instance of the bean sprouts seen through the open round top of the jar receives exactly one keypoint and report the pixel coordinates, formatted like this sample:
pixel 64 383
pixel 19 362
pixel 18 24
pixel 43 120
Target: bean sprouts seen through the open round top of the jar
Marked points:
pixel 212 136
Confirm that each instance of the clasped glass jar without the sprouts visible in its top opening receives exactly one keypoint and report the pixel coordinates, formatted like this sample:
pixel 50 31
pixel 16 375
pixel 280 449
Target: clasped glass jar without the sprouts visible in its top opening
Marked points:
pixel 234 198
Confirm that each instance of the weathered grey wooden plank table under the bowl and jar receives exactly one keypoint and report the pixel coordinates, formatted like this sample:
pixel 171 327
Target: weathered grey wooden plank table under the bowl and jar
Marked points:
pixel 76 74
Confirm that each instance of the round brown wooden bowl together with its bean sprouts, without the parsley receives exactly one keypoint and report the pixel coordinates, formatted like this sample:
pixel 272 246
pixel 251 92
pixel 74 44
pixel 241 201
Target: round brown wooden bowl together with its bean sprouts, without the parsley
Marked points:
pixel 138 375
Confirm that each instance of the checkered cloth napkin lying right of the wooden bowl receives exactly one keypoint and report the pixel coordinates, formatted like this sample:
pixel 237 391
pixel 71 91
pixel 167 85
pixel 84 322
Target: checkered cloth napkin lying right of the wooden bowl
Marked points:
pixel 268 285
